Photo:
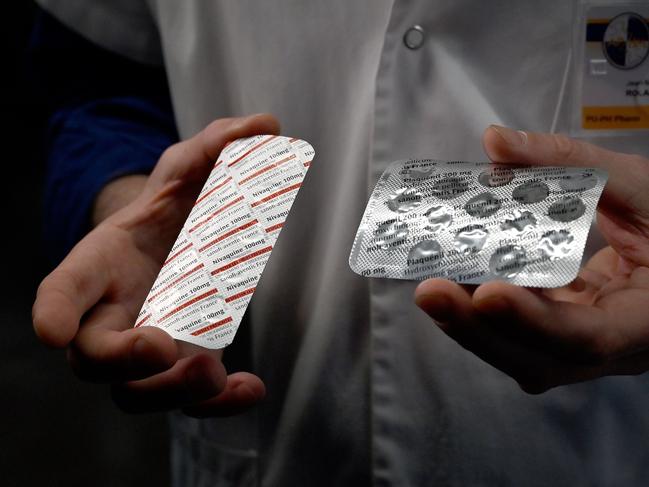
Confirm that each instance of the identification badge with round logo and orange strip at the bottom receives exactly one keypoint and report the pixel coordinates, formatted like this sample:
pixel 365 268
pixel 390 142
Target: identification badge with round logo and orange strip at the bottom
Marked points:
pixel 613 68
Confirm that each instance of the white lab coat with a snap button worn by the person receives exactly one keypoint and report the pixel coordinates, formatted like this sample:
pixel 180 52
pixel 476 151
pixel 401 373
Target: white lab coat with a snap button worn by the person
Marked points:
pixel 363 389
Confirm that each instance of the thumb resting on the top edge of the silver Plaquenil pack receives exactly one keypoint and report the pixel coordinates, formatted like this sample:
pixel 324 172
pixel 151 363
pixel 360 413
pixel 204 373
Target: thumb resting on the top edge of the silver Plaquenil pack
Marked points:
pixel 626 172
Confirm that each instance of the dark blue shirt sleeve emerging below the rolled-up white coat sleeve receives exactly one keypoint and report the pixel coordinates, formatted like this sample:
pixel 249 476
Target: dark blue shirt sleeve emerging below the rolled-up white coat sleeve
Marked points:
pixel 108 117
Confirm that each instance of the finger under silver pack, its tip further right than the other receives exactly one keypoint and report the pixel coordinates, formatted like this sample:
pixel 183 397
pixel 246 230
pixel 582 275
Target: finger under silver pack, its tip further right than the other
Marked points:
pixel 575 332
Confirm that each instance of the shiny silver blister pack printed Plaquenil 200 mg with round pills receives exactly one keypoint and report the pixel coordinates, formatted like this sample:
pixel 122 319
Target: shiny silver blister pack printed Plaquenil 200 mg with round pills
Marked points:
pixel 473 222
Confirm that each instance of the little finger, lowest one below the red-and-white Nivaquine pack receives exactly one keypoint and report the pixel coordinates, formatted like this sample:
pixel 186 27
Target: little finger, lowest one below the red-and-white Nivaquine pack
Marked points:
pixel 242 391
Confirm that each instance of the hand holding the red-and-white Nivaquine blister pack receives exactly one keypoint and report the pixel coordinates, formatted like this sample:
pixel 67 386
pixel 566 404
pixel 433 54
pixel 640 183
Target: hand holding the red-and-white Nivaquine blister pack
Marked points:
pixel 89 303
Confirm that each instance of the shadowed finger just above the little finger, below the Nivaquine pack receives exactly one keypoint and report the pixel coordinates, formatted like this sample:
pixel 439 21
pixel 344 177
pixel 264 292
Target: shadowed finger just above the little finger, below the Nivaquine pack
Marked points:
pixel 190 380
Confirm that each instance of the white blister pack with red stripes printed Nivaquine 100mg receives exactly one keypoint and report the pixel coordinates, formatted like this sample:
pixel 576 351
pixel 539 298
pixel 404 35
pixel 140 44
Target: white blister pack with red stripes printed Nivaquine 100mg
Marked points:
pixel 210 275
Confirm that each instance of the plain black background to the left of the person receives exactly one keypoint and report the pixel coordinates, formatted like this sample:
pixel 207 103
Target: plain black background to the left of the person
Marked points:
pixel 54 429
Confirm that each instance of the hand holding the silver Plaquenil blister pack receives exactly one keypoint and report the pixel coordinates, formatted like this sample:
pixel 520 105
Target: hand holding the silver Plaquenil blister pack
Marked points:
pixel 597 325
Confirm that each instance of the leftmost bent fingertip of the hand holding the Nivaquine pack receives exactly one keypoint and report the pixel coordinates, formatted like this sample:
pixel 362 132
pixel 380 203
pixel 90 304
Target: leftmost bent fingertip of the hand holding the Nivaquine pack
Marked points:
pixel 68 292
